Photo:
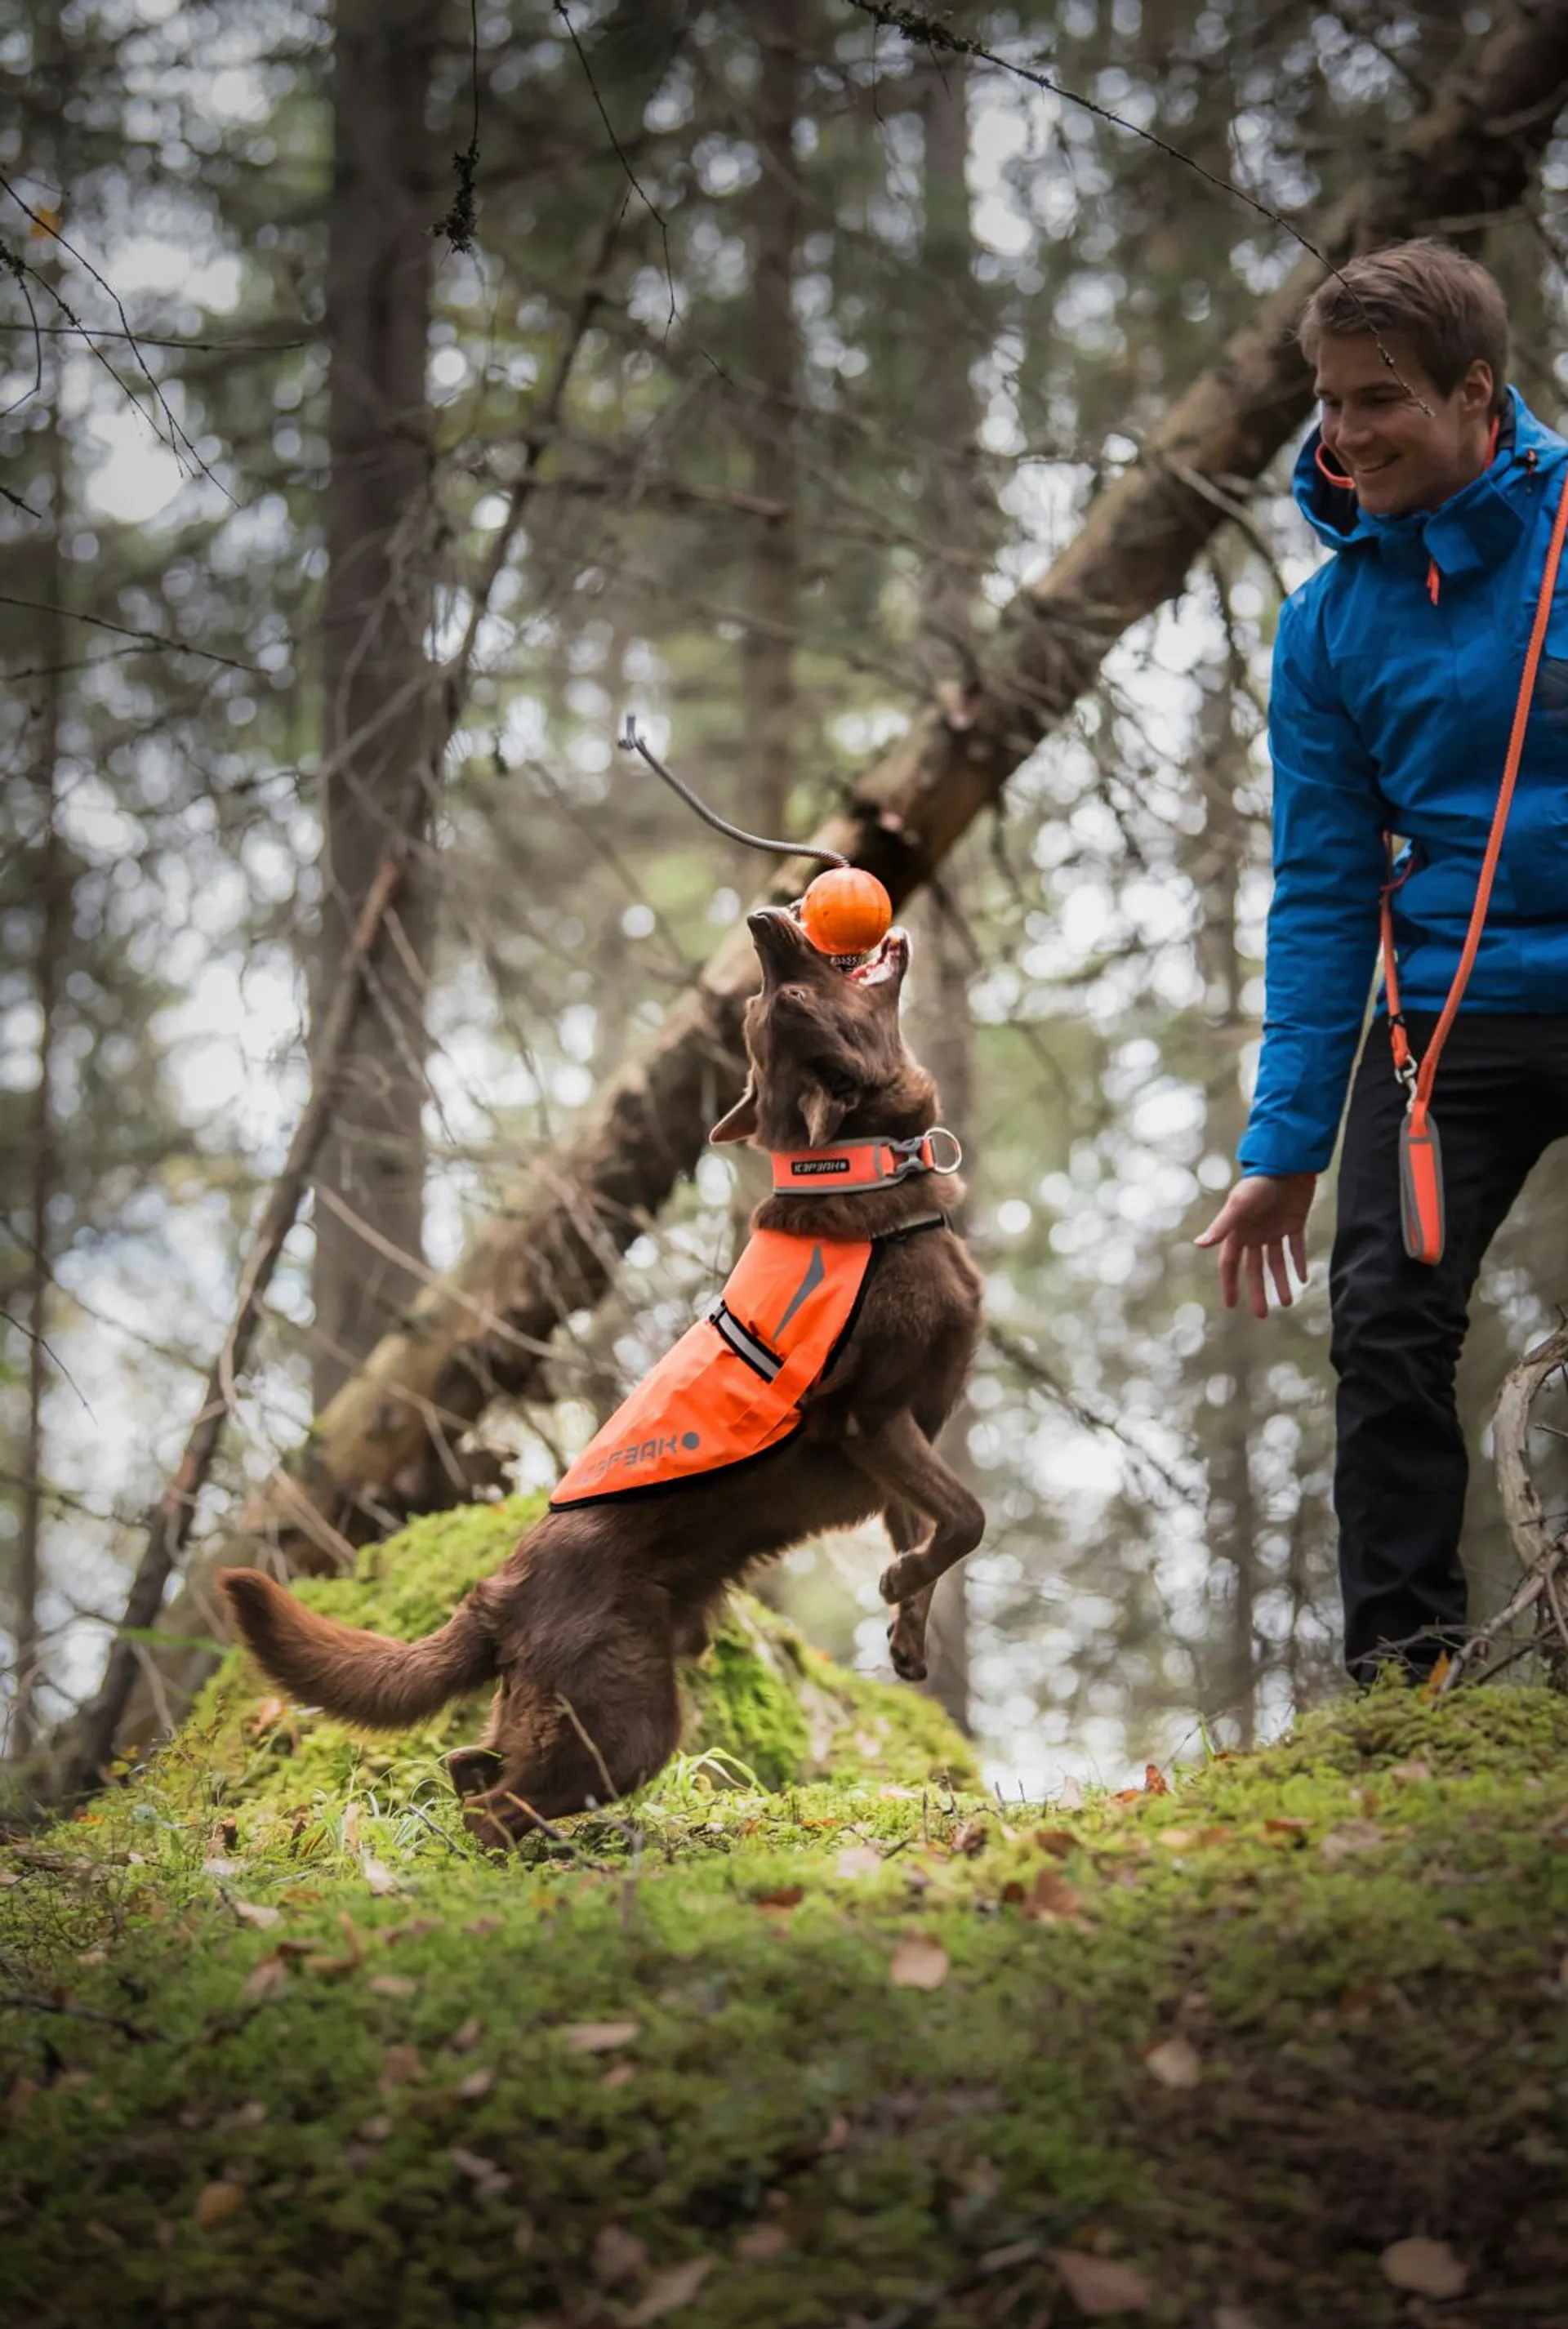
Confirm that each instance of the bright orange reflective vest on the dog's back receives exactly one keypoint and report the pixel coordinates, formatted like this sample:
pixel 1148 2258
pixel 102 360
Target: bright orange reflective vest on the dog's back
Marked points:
pixel 733 1385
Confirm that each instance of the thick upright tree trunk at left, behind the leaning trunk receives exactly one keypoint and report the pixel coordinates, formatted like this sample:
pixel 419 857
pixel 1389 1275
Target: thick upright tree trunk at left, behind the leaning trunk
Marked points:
pixel 379 716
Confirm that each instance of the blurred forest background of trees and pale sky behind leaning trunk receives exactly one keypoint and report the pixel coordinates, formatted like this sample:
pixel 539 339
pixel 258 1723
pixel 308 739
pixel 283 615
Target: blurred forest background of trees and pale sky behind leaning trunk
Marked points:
pixel 772 355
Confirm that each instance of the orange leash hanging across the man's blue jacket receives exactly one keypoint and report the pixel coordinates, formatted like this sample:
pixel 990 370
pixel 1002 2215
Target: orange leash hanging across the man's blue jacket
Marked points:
pixel 1422 1212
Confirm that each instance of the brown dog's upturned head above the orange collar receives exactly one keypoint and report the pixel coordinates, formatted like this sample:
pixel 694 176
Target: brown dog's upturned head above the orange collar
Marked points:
pixel 826 1049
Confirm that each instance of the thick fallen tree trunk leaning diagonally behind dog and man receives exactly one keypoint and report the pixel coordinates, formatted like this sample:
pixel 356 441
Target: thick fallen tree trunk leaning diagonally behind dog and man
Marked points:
pixel 386 1443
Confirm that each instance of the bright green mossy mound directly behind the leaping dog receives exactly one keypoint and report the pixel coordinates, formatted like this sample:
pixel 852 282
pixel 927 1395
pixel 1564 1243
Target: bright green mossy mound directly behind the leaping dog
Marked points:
pixel 761 1704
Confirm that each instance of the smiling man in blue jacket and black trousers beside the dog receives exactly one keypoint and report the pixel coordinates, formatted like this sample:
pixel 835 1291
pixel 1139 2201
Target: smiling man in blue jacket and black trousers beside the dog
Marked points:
pixel 1397 677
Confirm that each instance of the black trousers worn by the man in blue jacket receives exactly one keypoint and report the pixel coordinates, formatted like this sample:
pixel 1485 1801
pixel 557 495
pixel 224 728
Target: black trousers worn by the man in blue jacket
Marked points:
pixel 1502 1096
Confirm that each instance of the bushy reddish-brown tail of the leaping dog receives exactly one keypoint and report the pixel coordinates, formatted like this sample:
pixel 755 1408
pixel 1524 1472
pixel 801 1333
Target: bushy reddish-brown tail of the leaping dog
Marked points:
pixel 362 1678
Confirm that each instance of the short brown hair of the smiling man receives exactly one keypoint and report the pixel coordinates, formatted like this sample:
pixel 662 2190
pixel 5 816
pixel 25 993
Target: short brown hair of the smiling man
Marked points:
pixel 1448 306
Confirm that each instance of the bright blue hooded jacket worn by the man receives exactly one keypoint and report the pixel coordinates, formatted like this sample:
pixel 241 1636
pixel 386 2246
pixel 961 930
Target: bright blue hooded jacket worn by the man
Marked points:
pixel 1392 714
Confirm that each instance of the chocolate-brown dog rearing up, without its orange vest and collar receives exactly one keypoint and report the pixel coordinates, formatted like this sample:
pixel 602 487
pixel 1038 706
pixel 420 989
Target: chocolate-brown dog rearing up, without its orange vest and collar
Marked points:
pixel 588 1615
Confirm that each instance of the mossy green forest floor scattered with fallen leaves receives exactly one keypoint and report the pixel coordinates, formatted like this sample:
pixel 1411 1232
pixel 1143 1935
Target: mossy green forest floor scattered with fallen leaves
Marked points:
pixel 1278 2041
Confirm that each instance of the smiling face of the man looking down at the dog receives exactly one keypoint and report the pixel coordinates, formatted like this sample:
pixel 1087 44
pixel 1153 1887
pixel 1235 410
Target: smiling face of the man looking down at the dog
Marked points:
pixel 1399 455
